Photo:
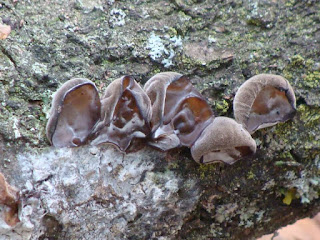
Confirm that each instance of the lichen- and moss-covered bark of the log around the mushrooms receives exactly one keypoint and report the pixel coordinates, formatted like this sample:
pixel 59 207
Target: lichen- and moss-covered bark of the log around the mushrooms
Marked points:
pixel 218 44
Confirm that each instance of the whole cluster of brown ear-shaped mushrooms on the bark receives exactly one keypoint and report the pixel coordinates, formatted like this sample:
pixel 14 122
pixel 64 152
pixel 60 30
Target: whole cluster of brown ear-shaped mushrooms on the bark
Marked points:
pixel 167 113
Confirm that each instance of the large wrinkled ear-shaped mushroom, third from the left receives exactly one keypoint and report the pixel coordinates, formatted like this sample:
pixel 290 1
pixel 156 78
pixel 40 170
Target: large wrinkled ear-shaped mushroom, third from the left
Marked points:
pixel 179 112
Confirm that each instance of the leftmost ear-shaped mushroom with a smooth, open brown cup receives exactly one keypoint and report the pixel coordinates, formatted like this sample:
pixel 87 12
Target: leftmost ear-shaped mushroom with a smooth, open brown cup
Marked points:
pixel 75 110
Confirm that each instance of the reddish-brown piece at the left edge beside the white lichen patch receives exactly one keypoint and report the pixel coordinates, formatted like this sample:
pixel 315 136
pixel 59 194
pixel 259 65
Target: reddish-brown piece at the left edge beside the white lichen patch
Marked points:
pixel 9 196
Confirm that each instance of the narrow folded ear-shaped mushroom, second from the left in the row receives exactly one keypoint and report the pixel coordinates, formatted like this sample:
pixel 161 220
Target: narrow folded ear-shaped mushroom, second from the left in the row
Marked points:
pixel 125 114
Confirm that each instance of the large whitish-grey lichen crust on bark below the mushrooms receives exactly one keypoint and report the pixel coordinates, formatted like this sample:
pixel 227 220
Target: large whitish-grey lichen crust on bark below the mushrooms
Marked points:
pixel 95 193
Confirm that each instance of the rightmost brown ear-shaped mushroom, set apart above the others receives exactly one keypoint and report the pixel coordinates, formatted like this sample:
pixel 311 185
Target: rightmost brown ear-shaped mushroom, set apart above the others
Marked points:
pixel 263 101
